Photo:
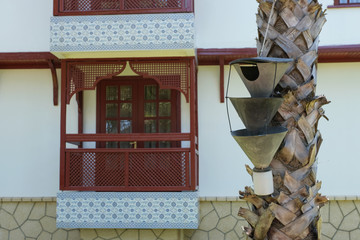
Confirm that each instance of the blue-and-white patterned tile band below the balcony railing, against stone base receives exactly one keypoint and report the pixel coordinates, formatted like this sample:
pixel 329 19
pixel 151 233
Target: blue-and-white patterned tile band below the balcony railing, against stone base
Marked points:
pixel 127 210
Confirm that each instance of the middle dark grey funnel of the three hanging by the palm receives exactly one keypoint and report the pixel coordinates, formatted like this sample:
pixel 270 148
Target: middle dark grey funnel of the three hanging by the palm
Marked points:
pixel 256 113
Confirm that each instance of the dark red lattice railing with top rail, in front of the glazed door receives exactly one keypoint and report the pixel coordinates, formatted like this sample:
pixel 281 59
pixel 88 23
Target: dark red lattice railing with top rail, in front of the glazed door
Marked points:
pixel 141 169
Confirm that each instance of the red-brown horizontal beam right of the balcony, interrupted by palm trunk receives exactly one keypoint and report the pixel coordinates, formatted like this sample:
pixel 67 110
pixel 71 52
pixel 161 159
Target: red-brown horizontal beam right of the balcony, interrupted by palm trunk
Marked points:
pixel 327 54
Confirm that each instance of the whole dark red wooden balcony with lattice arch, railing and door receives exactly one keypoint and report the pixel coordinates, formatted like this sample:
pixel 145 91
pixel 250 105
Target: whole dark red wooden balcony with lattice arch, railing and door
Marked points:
pixel 163 160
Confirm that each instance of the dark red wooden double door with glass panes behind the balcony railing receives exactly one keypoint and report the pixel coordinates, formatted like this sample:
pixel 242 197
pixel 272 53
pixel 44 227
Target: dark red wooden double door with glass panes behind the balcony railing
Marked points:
pixel 137 105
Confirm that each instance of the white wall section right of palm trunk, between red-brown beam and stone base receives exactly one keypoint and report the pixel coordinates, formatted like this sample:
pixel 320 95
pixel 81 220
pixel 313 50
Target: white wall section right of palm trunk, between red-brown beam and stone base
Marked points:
pixel 339 161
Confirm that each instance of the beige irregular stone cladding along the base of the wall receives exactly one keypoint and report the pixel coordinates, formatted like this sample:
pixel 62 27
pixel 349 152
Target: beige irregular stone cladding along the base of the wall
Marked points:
pixel 35 219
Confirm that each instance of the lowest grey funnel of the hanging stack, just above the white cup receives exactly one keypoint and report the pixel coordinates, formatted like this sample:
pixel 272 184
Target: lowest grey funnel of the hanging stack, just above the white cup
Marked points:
pixel 259 147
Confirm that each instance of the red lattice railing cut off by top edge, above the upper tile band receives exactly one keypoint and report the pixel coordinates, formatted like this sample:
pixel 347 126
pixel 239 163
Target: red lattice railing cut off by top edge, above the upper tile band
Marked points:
pixel 100 7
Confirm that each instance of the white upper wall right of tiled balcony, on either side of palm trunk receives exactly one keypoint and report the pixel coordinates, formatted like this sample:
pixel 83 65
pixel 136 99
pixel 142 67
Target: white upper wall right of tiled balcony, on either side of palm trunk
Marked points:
pixel 232 24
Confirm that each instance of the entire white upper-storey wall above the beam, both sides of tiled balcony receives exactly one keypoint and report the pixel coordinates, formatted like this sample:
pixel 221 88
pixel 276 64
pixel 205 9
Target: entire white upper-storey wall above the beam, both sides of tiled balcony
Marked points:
pixel 25 25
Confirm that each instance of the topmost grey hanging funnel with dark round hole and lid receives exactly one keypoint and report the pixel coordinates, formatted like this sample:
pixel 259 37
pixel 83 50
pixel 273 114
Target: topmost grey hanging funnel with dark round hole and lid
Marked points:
pixel 261 74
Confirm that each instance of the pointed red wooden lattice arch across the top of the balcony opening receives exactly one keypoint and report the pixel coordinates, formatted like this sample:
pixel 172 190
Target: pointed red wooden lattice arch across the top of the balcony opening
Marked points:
pixel 169 73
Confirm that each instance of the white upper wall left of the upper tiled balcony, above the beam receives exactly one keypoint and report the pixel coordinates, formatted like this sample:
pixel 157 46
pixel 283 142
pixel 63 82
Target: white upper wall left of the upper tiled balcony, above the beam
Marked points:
pixel 25 25
